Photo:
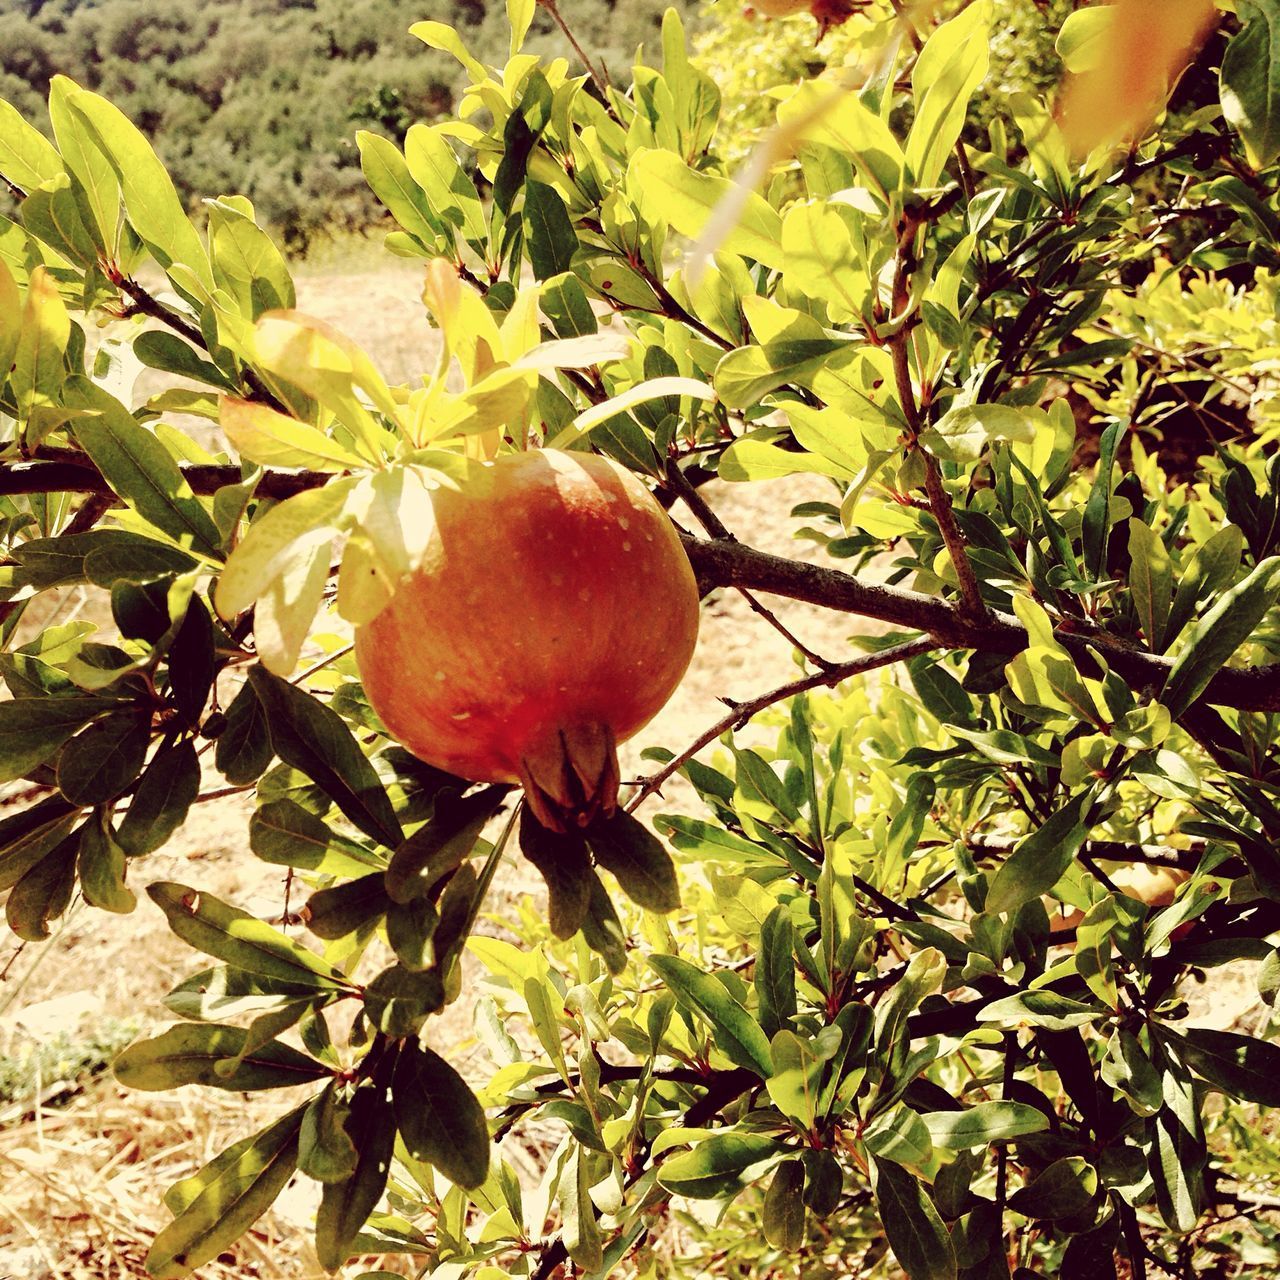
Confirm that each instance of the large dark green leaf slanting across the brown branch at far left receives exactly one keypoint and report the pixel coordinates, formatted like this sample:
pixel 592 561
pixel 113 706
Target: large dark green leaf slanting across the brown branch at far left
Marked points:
pixel 139 468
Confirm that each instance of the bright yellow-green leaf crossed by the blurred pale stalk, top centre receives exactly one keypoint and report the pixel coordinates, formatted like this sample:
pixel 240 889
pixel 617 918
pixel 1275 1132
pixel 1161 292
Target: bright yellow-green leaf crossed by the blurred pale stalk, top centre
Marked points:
pixel 668 191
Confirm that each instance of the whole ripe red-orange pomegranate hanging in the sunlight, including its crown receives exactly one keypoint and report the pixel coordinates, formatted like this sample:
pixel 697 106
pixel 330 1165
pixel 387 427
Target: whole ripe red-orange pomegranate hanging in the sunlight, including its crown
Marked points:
pixel 552 618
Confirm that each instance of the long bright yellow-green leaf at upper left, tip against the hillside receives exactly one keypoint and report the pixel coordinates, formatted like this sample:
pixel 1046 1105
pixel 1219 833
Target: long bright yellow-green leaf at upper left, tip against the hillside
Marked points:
pixel 150 199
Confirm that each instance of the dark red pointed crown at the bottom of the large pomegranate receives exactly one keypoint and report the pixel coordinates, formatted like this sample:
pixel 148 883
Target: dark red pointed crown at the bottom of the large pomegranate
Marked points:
pixel 572 778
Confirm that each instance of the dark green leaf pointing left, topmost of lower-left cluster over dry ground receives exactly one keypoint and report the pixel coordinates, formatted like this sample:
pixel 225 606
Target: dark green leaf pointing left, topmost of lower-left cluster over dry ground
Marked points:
pixel 239 939
